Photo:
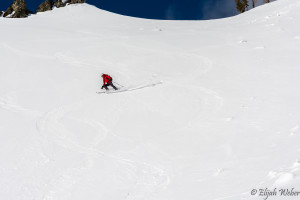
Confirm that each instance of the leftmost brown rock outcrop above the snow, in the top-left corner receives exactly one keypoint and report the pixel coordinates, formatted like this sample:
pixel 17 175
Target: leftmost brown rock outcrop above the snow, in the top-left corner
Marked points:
pixel 18 8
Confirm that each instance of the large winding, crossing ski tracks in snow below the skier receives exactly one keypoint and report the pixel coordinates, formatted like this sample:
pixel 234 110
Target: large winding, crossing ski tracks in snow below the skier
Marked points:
pixel 51 128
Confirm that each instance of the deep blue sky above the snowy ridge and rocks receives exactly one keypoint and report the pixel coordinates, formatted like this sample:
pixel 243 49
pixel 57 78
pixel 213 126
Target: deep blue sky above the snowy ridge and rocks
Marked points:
pixel 157 9
